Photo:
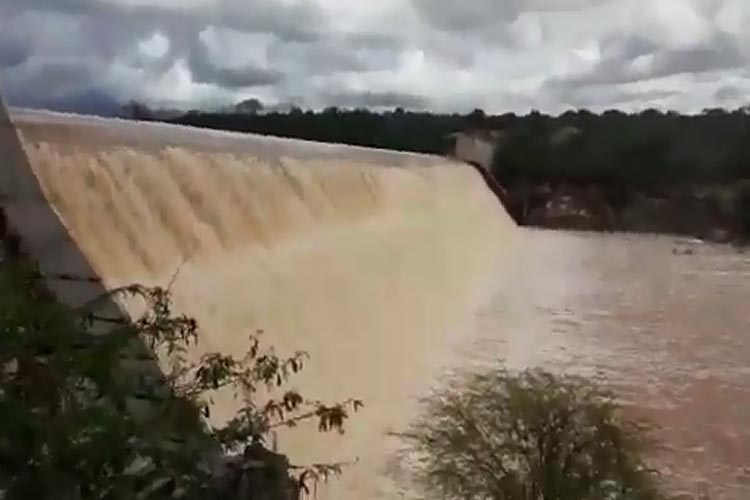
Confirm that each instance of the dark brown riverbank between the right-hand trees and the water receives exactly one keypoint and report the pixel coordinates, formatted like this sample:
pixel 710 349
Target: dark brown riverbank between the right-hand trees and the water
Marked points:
pixel 717 213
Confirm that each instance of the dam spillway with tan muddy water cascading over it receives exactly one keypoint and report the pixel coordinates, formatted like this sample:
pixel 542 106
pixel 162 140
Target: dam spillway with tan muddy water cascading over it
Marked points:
pixel 373 262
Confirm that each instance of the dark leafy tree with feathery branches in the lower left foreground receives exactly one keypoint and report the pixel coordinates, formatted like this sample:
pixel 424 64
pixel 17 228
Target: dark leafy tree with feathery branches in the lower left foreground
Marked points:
pixel 87 415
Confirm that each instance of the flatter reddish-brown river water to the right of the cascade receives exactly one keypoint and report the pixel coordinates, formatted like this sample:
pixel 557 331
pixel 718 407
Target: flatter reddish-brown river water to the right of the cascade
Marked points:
pixel 664 322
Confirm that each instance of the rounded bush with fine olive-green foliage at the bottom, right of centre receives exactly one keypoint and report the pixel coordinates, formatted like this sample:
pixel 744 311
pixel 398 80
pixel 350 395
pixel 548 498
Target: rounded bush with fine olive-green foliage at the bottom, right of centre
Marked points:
pixel 528 436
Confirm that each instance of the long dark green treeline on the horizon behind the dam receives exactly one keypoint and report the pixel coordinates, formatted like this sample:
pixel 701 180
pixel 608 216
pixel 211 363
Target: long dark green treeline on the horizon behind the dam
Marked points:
pixel 644 149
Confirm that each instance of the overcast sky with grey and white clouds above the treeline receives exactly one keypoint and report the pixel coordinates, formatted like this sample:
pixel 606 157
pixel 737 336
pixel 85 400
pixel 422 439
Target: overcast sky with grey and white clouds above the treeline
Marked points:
pixel 447 55
